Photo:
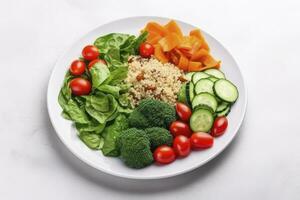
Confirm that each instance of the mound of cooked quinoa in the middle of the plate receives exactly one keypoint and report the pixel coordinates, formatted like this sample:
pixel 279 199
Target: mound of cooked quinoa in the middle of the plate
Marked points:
pixel 152 79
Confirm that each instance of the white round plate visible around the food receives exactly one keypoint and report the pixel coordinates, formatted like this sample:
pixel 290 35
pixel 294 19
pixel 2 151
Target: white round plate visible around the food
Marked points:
pixel 114 166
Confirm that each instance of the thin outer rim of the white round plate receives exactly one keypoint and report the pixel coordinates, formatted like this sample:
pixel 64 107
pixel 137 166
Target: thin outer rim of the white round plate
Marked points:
pixel 116 174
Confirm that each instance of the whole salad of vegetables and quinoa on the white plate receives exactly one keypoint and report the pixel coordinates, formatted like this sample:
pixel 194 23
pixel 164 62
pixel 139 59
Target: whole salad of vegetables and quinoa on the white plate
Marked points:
pixel 149 98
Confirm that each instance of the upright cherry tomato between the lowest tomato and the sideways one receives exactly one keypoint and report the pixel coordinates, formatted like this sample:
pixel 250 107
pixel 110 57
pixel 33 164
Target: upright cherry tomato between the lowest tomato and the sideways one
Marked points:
pixel 182 145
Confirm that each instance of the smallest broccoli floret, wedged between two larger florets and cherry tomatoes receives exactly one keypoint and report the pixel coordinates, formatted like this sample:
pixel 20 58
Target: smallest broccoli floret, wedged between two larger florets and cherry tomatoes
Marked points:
pixel 159 136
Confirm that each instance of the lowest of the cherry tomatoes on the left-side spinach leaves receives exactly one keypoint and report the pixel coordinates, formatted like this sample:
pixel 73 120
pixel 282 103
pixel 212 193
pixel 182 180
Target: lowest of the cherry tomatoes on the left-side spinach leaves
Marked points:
pixel 80 86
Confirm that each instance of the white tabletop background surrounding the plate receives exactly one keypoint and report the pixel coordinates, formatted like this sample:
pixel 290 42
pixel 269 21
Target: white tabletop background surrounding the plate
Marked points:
pixel 263 162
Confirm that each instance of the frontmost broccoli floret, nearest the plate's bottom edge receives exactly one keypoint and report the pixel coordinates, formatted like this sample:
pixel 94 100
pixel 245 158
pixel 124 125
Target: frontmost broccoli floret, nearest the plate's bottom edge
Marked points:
pixel 134 146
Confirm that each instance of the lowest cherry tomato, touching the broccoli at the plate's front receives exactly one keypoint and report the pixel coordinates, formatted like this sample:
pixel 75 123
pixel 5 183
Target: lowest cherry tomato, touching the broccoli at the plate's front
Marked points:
pixel 164 154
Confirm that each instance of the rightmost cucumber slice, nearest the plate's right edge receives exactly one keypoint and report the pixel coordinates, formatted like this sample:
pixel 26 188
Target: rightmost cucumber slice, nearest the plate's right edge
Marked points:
pixel 226 91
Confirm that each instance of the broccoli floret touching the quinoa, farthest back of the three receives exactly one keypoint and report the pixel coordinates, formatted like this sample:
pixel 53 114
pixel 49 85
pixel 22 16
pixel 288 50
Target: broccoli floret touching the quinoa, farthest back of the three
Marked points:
pixel 152 113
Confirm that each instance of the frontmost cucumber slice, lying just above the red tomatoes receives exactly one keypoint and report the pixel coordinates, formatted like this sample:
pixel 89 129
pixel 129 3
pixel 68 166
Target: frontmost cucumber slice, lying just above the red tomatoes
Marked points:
pixel 201 120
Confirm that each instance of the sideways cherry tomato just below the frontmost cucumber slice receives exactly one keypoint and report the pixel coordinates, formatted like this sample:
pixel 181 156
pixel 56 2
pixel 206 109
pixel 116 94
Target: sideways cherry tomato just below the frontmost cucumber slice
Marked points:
pixel 201 140
